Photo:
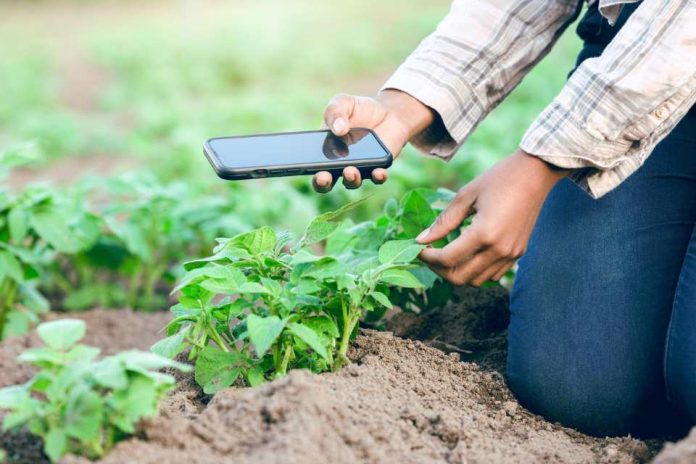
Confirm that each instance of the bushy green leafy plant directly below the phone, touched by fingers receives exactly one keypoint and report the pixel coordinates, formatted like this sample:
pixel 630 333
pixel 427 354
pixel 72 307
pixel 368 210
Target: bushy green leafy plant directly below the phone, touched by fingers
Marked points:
pixel 263 304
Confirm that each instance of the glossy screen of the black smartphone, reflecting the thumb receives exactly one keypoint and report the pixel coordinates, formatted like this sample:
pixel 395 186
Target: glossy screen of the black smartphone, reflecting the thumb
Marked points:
pixel 298 148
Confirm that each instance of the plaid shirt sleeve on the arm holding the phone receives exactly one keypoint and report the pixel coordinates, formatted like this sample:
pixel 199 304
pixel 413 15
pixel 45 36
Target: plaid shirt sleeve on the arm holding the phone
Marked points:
pixel 476 57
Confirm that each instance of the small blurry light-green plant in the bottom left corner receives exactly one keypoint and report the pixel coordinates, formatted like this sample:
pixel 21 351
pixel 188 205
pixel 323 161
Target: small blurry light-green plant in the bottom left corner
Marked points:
pixel 80 404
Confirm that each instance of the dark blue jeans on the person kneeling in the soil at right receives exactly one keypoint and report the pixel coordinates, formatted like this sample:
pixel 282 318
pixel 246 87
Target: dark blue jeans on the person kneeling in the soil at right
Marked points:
pixel 602 333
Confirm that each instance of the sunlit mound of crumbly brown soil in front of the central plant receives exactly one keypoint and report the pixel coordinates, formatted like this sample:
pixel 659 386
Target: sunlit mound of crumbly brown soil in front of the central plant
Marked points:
pixel 400 402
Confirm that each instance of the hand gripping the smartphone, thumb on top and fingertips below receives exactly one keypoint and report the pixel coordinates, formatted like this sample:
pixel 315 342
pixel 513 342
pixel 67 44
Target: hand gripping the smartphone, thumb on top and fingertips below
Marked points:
pixel 394 115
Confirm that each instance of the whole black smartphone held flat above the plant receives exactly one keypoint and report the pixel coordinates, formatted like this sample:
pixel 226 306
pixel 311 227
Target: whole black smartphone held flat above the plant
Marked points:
pixel 295 153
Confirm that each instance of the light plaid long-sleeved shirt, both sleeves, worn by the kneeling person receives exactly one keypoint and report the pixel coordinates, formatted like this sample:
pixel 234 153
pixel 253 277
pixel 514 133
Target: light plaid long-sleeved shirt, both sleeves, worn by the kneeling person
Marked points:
pixel 612 111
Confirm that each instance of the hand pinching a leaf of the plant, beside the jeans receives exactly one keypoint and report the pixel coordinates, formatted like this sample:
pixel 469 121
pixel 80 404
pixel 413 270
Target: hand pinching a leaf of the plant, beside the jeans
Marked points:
pixel 506 199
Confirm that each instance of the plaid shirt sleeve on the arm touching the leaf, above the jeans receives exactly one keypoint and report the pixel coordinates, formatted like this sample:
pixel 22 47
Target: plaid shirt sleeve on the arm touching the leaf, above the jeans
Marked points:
pixel 615 108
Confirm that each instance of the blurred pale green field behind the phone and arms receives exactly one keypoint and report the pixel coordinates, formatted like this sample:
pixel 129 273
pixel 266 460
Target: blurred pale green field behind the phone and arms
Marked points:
pixel 110 86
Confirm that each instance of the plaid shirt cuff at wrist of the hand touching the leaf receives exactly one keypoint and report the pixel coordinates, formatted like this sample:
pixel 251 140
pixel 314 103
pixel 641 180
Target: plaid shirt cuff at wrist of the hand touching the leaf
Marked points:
pixel 598 165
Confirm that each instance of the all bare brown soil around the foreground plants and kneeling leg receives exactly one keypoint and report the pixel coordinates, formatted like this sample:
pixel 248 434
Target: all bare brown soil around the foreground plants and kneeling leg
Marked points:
pixel 401 401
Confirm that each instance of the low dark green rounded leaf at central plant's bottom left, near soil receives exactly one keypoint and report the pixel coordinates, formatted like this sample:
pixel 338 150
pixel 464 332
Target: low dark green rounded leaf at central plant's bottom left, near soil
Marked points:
pixel 216 369
